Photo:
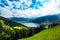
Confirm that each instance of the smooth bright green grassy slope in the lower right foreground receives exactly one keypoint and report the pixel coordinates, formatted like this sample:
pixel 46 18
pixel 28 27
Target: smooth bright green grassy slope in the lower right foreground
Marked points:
pixel 48 34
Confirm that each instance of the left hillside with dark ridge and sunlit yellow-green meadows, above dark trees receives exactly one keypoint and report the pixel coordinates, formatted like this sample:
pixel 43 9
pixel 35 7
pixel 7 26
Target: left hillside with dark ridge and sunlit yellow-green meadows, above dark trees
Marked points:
pixel 6 24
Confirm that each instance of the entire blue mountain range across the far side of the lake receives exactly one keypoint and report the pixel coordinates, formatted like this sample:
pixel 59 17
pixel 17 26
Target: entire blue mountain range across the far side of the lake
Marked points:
pixel 51 18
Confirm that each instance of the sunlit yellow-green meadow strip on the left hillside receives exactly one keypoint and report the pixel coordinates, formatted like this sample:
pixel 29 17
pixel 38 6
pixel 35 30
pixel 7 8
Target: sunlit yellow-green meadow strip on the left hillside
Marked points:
pixel 7 27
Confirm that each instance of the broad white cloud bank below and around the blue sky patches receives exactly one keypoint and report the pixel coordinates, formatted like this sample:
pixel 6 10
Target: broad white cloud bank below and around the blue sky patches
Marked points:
pixel 50 8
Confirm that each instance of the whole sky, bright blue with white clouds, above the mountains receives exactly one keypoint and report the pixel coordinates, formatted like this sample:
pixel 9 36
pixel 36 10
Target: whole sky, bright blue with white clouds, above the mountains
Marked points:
pixel 29 8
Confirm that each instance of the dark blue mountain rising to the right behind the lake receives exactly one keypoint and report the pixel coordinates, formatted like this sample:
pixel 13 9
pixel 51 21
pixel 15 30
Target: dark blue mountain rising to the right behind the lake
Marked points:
pixel 50 18
